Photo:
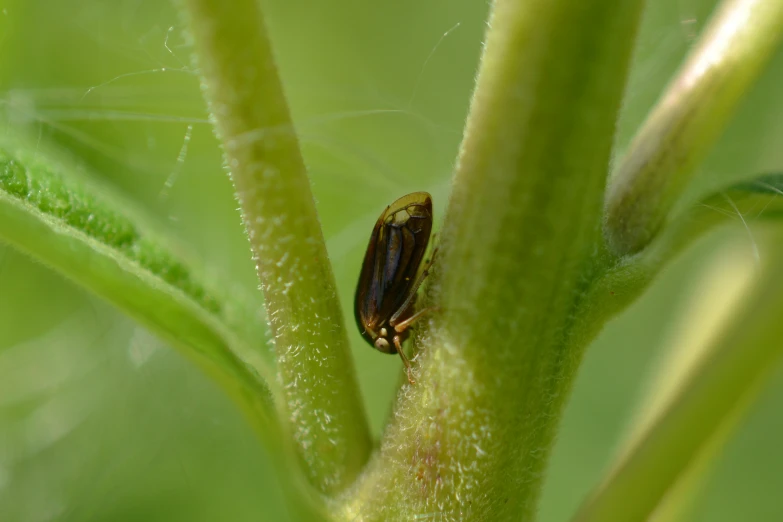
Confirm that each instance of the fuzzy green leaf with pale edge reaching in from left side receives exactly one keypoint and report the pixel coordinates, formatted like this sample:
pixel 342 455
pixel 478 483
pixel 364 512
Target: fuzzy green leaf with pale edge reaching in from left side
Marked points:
pixel 51 212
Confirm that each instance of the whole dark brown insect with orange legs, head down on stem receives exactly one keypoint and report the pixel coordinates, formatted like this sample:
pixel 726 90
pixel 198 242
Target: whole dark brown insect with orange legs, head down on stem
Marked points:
pixel 390 276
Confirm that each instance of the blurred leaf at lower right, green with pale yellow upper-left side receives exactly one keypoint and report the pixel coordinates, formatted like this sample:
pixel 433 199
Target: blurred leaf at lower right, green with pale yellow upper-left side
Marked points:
pixel 731 357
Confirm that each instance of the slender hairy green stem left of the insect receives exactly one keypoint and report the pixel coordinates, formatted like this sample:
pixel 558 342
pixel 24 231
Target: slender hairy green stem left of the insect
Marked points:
pixel 245 96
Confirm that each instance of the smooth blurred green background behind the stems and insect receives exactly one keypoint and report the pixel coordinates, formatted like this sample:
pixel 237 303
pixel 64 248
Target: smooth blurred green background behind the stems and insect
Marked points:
pixel 99 421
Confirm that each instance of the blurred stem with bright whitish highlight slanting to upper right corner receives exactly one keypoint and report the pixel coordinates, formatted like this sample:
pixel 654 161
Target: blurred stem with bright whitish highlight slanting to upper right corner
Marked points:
pixel 690 116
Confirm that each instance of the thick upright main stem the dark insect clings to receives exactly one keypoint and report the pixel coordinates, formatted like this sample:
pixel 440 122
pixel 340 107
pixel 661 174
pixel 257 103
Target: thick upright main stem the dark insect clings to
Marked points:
pixel 520 241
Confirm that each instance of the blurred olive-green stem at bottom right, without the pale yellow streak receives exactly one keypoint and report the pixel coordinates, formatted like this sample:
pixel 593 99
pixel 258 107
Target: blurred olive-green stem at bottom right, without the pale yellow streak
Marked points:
pixel 739 359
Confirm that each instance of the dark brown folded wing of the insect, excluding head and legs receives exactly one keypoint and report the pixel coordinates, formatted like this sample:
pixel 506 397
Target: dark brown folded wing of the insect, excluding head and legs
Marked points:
pixel 397 246
